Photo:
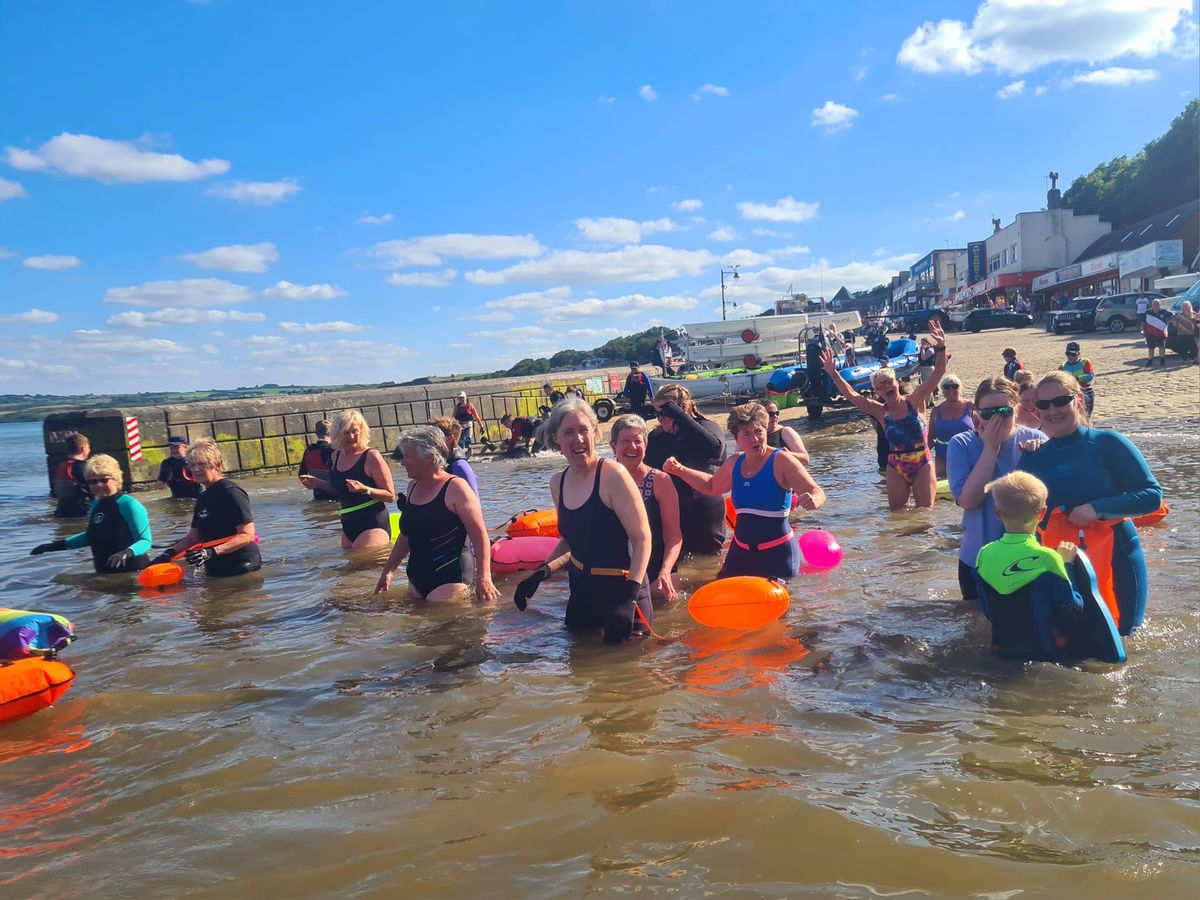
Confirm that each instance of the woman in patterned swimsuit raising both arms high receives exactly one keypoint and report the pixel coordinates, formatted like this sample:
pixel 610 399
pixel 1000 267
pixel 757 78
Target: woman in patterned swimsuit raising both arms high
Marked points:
pixel 910 471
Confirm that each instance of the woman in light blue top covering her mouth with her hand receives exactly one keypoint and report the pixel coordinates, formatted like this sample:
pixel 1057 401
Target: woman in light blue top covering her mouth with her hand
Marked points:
pixel 976 458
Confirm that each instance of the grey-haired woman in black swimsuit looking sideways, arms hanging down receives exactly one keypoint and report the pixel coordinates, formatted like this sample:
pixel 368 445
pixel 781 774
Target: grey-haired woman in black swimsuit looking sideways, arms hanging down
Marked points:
pixel 441 514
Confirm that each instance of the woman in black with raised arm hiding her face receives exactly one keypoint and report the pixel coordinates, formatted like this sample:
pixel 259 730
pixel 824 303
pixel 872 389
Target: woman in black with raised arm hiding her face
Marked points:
pixel 698 443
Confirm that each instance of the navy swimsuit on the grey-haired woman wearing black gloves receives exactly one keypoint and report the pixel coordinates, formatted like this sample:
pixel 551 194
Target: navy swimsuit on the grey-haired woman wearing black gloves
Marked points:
pixel 601 559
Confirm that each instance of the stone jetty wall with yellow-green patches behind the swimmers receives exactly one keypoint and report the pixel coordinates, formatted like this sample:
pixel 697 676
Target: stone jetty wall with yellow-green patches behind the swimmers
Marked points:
pixel 271 434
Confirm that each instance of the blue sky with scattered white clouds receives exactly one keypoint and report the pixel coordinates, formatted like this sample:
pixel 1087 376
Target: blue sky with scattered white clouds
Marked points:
pixel 237 193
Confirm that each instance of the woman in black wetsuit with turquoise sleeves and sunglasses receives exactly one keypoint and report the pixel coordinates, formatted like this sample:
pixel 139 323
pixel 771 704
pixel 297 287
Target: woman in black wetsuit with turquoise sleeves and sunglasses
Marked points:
pixel 118 527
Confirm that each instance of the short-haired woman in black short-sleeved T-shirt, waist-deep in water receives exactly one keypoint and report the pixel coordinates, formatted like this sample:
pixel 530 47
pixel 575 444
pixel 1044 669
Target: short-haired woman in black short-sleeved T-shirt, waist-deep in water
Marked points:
pixel 223 514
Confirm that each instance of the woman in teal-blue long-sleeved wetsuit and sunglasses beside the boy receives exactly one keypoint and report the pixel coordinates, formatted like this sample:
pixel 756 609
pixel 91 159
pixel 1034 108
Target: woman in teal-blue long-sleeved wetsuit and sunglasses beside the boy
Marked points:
pixel 1096 476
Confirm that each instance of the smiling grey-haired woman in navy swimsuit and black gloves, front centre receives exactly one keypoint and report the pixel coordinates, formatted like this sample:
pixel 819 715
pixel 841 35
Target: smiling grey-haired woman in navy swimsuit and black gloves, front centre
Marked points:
pixel 605 543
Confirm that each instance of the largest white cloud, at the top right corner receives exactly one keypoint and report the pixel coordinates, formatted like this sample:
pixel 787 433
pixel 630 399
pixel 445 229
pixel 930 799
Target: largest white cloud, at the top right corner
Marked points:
pixel 1019 37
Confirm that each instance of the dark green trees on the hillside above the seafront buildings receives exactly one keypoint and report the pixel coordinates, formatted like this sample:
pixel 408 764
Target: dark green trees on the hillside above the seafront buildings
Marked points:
pixel 1166 173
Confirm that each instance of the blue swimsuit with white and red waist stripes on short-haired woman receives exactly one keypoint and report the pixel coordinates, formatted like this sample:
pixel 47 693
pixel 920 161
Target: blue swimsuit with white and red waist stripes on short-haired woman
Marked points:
pixel 764 544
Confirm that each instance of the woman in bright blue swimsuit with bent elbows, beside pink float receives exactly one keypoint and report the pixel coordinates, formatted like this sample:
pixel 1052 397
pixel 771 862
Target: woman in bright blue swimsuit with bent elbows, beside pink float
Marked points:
pixel 761 481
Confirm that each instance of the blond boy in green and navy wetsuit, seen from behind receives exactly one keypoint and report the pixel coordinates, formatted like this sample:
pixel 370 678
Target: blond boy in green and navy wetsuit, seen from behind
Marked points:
pixel 1024 589
